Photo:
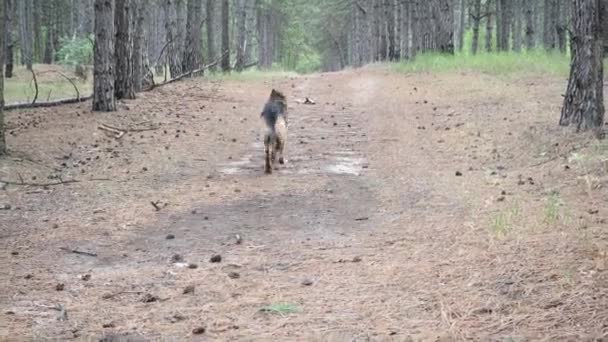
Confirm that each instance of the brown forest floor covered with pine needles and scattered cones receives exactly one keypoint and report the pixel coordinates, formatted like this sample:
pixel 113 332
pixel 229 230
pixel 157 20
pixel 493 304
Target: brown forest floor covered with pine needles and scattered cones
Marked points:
pixel 413 207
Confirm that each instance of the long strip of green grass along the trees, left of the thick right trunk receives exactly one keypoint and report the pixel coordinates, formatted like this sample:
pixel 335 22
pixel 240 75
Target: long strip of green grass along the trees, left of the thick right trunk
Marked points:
pixel 508 63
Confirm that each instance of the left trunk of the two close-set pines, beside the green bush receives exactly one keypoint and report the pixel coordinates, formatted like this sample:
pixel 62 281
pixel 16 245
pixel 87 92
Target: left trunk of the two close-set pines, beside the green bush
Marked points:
pixel 103 70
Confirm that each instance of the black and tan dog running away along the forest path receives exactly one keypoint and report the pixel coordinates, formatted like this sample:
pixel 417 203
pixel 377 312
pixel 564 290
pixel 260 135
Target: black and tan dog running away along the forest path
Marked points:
pixel 275 137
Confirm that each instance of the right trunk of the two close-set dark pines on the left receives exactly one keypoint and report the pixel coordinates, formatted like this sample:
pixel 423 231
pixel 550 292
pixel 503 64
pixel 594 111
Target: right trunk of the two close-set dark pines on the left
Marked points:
pixel 124 87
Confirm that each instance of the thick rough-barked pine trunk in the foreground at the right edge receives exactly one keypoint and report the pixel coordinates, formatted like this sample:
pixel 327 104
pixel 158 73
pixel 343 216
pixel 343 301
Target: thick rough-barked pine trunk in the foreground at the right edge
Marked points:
pixel 584 101
